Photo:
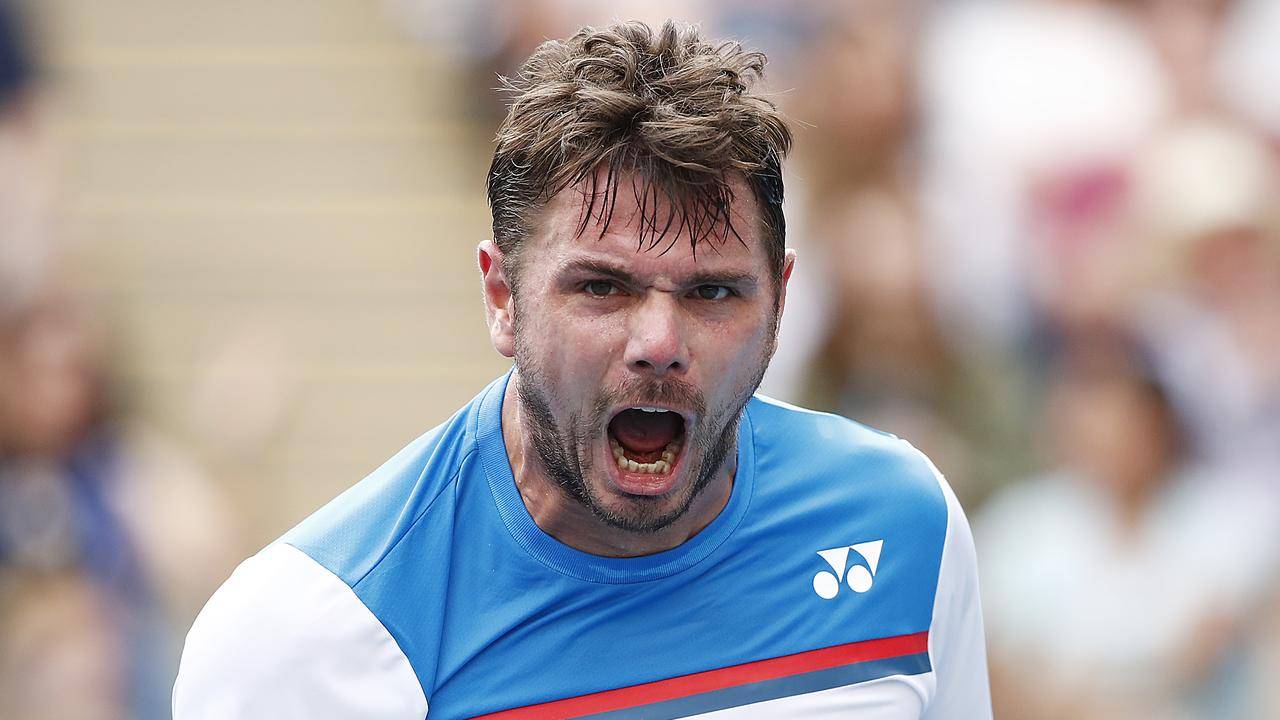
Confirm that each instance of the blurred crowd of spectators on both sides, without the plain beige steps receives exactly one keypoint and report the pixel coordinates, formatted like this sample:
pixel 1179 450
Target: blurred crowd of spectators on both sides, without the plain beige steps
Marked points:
pixel 1039 239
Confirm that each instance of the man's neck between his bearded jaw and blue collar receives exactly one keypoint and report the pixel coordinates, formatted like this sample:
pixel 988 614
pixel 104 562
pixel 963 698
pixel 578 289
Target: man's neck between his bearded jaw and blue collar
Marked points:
pixel 573 523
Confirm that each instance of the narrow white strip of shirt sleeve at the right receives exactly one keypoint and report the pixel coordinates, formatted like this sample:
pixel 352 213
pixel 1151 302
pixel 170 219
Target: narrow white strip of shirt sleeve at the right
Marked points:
pixel 957 641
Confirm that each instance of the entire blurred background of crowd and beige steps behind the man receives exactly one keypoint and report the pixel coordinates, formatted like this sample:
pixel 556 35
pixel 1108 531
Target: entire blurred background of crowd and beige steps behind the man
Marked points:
pixel 1039 239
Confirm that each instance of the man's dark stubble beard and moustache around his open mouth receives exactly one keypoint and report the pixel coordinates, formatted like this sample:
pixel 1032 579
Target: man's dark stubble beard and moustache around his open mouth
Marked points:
pixel 566 453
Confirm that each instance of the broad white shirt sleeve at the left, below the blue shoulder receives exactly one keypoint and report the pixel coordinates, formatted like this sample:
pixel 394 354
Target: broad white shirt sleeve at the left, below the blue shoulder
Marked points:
pixel 286 639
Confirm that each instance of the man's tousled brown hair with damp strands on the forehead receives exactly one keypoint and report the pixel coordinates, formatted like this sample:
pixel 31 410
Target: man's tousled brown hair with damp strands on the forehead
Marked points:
pixel 669 110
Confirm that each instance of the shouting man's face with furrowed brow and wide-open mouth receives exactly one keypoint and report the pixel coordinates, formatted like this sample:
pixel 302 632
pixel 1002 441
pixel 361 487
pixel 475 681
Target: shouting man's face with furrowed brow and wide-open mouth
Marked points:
pixel 634 363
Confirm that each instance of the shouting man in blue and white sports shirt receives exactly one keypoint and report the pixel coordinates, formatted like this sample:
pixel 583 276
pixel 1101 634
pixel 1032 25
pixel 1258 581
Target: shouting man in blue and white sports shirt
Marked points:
pixel 618 528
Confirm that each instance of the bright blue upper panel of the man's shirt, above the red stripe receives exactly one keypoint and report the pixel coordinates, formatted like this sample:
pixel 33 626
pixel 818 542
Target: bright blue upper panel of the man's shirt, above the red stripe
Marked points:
pixel 495 614
